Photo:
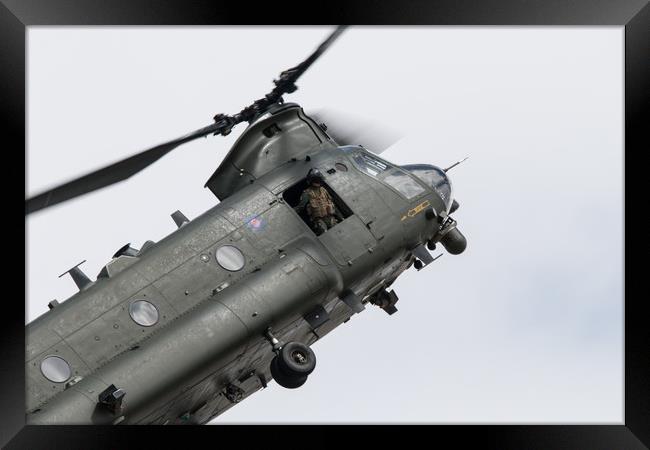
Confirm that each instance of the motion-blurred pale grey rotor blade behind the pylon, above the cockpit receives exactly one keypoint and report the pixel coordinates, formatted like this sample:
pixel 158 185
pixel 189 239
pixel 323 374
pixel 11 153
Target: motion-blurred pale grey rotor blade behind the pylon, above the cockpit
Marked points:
pixel 347 129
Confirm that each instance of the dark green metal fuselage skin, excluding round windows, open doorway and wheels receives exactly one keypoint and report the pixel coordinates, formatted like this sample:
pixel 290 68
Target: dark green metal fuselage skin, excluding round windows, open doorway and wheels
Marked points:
pixel 208 349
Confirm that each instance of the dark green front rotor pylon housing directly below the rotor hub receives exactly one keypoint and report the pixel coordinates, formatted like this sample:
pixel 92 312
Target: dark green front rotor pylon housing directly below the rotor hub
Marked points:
pixel 283 133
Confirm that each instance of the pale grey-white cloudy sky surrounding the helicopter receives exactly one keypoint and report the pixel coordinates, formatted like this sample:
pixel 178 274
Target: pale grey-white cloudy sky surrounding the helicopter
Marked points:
pixel 525 326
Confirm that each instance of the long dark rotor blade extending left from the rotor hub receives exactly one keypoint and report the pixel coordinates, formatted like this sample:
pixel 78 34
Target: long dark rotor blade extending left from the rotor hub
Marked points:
pixel 113 173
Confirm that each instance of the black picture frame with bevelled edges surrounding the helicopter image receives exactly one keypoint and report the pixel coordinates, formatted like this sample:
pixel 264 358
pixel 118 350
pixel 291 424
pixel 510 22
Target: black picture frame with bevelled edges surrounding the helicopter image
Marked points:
pixel 634 15
